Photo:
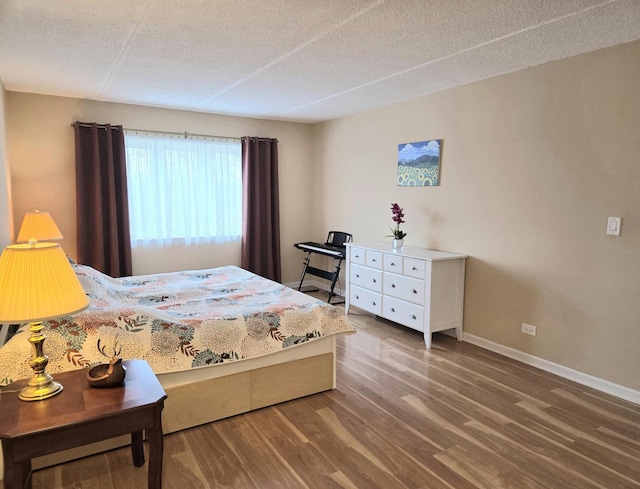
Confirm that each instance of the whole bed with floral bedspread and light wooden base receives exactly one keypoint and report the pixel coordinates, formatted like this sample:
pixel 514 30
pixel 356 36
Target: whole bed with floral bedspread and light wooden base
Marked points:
pixel 222 341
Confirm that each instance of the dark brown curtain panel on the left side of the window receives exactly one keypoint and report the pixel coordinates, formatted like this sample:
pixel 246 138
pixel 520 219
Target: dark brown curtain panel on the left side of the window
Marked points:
pixel 101 199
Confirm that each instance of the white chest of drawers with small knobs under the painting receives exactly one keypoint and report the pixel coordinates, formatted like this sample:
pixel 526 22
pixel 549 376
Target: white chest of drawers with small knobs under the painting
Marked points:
pixel 418 288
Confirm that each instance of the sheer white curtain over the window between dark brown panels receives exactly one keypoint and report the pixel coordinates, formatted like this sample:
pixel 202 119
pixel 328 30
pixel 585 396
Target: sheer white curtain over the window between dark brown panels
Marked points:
pixel 183 190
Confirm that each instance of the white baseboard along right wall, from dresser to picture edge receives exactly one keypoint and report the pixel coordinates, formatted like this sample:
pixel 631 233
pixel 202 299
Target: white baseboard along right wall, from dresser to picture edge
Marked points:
pixel 620 391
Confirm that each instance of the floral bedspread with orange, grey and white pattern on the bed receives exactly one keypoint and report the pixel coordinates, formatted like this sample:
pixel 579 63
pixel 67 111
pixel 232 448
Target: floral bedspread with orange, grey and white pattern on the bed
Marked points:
pixel 176 321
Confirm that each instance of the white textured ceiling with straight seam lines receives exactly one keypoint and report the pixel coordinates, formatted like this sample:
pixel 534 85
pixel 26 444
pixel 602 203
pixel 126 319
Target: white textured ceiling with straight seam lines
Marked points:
pixel 298 60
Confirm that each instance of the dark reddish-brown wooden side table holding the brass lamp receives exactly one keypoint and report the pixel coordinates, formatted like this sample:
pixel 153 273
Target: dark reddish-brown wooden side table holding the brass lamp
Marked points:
pixel 79 415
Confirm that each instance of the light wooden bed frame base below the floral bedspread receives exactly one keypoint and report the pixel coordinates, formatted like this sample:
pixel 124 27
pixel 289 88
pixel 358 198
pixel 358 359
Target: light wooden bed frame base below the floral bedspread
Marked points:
pixel 206 394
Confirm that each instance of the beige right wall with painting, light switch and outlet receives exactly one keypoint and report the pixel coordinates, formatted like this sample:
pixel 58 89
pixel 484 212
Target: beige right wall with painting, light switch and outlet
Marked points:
pixel 533 163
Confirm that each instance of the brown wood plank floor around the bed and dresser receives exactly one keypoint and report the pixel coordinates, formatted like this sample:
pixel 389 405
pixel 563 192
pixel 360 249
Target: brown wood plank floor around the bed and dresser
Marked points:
pixel 454 417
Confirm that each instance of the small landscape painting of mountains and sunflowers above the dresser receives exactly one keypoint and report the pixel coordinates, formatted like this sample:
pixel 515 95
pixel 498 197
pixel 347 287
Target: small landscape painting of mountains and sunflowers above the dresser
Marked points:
pixel 419 164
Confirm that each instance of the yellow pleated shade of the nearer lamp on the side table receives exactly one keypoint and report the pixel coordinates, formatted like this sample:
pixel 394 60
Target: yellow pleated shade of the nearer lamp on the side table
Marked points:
pixel 37 283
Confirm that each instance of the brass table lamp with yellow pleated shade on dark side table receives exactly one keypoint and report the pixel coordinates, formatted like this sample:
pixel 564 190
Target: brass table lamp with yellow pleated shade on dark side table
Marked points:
pixel 37 283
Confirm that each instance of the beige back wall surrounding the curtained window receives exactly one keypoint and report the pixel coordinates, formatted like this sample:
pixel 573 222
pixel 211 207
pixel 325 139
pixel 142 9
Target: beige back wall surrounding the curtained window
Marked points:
pixel 41 152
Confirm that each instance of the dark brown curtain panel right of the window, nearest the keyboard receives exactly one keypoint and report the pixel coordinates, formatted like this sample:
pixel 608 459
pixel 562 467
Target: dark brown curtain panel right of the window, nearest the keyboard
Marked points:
pixel 260 207
